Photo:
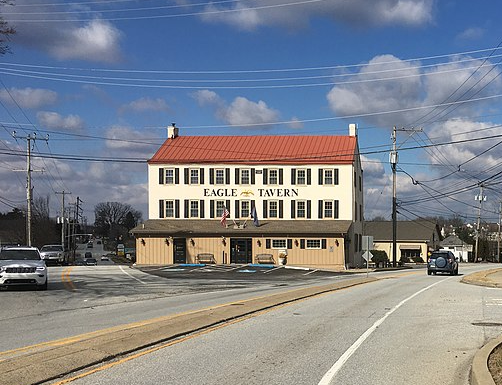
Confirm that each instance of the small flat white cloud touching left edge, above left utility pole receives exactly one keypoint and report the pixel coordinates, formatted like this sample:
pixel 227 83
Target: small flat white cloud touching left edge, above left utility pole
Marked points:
pixel 30 98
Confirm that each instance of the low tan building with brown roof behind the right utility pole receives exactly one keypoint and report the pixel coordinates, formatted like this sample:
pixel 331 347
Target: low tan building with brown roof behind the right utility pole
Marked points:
pixel 413 238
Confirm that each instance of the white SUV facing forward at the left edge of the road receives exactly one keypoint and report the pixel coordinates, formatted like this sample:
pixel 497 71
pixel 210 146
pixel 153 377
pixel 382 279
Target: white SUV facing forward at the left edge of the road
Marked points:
pixel 22 266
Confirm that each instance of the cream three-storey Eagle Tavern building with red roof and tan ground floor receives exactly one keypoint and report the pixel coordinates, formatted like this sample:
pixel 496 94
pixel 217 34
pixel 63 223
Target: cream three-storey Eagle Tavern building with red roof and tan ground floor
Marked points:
pixel 295 195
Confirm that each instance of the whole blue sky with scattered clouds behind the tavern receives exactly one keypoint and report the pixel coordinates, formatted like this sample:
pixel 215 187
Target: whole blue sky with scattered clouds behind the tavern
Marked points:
pixel 104 79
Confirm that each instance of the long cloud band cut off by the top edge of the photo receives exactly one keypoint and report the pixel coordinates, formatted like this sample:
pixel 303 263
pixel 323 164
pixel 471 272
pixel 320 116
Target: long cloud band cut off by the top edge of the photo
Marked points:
pixel 357 13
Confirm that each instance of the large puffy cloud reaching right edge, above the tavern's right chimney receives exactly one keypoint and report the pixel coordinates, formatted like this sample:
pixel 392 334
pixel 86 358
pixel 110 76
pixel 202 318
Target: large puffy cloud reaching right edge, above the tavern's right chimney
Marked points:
pixel 387 84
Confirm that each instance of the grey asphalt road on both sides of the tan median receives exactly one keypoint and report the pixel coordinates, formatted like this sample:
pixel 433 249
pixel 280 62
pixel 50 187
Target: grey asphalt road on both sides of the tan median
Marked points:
pixel 408 328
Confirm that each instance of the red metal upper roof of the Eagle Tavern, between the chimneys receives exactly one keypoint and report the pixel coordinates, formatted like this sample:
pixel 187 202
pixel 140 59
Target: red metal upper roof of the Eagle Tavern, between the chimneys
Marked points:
pixel 257 149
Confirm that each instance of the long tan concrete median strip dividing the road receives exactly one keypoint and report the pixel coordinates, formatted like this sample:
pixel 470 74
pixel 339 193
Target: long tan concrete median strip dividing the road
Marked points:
pixel 47 362
